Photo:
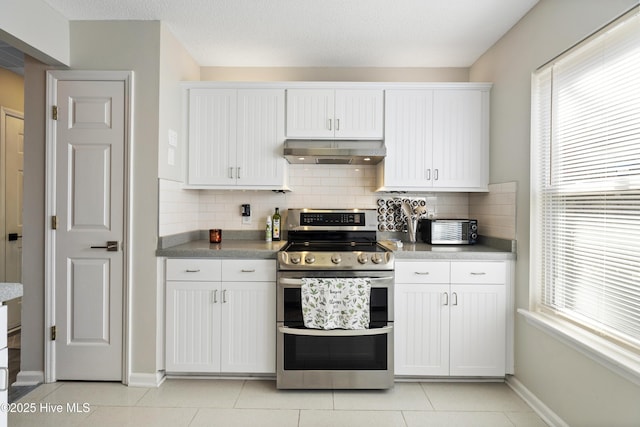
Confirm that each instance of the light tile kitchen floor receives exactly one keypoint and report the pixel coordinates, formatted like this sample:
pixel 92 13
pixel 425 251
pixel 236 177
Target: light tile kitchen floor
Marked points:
pixel 257 403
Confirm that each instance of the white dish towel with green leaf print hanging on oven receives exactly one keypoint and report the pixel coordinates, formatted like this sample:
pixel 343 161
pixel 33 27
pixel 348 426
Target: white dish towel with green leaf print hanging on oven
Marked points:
pixel 336 303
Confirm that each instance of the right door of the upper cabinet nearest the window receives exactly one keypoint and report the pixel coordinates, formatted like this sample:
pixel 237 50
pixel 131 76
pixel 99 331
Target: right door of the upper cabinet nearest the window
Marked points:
pixel 460 135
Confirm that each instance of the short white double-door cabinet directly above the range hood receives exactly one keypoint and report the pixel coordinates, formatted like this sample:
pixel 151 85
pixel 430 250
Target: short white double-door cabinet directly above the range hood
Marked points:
pixel 335 113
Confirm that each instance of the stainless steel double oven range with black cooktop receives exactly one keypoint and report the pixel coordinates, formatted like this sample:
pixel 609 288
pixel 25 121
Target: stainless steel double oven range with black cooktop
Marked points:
pixel 334 244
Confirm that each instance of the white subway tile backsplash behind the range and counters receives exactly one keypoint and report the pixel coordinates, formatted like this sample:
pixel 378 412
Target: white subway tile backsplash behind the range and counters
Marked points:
pixel 312 186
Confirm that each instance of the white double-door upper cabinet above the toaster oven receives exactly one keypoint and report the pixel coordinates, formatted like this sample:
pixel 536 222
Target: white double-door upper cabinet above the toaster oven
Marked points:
pixel 437 140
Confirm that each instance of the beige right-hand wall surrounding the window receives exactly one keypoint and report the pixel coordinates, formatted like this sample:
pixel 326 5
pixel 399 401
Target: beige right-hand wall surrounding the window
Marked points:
pixel 580 391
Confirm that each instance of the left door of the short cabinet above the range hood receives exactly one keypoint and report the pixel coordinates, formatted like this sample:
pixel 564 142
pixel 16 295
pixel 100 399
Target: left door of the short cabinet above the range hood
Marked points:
pixel 310 113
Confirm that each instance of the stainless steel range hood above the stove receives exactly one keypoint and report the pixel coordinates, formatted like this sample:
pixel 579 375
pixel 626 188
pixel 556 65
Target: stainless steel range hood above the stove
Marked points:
pixel 334 152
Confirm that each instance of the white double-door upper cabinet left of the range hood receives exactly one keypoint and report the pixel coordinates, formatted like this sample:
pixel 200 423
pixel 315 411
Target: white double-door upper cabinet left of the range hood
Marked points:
pixel 235 138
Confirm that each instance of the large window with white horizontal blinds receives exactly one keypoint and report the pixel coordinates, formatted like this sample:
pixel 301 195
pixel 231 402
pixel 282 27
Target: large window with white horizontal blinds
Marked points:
pixel 586 184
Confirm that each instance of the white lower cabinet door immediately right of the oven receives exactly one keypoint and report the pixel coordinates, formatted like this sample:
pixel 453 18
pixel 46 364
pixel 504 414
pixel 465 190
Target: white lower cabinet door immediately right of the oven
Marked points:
pixel 421 329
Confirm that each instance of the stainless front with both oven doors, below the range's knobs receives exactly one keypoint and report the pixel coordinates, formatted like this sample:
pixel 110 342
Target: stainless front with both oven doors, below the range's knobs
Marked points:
pixel 334 359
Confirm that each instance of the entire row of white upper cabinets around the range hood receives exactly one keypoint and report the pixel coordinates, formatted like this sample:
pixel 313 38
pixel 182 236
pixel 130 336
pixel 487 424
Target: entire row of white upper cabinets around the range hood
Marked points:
pixel 436 134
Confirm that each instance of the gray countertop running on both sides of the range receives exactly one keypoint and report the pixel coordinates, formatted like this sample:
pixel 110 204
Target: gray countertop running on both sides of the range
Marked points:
pixel 256 249
